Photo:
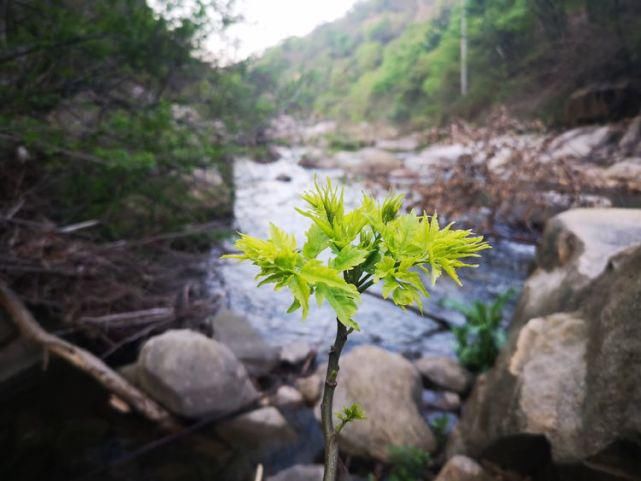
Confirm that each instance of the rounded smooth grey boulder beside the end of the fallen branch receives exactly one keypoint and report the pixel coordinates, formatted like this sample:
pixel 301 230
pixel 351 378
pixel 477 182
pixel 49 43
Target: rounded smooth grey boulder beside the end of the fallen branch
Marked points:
pixel 193 375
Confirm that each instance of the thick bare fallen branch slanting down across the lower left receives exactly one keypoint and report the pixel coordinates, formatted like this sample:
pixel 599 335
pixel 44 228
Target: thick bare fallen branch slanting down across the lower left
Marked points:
pixel 85 361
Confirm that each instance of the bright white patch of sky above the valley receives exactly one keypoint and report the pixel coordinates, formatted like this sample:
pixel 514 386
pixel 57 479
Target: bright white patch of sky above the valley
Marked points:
pixel 267 22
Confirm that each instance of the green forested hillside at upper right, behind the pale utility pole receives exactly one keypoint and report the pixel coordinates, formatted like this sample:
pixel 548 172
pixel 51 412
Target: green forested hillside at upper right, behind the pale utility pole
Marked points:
pixel 400 60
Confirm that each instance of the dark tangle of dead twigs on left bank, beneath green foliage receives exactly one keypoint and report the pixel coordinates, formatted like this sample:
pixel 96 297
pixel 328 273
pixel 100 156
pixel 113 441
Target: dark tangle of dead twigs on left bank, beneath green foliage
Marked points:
pixel 115 293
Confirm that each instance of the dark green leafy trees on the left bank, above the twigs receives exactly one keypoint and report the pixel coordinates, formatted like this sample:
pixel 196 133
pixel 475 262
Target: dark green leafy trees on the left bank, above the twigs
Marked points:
pixel 113 111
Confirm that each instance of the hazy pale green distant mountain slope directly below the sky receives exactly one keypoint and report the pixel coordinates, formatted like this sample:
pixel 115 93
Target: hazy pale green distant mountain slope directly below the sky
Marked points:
pixel 340 66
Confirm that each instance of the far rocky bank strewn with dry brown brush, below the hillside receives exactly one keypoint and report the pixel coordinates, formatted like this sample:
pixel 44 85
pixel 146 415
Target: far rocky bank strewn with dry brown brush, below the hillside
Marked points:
pixel 505 178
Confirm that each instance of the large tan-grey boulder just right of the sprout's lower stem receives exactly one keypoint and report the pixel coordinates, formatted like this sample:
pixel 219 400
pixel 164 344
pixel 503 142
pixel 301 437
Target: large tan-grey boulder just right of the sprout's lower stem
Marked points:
pixel 388 387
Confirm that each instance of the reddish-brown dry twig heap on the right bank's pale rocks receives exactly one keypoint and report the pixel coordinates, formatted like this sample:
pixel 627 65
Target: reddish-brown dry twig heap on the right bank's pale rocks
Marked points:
pixel 510 180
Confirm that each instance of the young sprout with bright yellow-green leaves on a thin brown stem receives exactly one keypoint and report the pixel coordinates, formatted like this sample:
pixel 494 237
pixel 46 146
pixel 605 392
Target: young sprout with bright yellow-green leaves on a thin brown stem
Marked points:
pixel 370 244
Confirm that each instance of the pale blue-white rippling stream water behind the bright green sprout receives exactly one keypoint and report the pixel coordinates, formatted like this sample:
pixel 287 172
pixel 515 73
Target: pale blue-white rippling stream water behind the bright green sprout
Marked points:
pixel 263 197
